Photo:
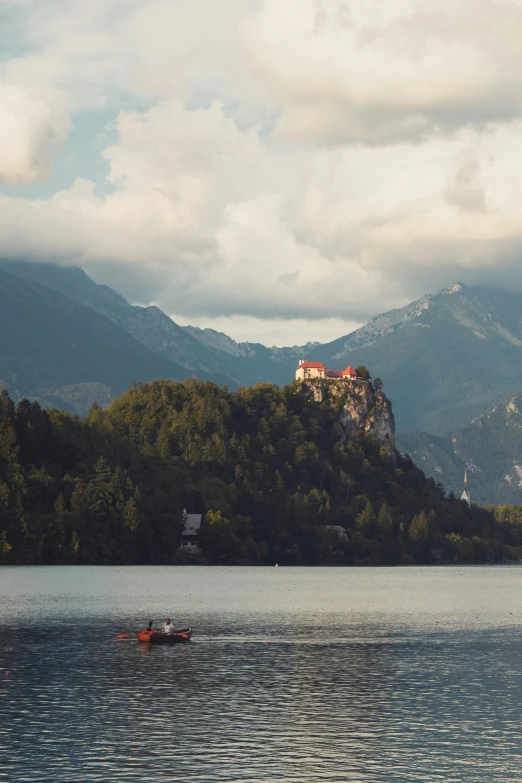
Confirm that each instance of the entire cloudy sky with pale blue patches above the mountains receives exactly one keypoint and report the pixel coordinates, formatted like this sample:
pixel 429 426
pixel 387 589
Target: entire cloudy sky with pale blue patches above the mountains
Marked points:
pixel 280 170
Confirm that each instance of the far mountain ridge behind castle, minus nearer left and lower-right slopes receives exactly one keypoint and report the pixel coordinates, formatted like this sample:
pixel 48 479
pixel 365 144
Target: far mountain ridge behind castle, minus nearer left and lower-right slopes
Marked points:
pixel 444 359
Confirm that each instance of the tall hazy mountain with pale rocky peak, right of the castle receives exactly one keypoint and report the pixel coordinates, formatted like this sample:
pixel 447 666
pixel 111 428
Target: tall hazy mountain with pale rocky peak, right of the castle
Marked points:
pixel 444 359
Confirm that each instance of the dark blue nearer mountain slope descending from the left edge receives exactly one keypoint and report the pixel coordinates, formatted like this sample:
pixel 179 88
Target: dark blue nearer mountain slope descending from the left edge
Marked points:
pixel 65 354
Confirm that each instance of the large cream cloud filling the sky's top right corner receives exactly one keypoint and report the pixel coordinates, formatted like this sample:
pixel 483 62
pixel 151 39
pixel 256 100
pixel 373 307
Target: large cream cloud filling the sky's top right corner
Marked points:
pixel 367 72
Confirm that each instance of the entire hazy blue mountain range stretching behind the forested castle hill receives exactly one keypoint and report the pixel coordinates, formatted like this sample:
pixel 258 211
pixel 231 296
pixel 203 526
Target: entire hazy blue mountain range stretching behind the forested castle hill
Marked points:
pixel 451 362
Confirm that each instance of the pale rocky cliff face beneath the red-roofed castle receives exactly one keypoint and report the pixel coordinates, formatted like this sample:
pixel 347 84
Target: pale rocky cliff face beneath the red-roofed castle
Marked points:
pixel 363 408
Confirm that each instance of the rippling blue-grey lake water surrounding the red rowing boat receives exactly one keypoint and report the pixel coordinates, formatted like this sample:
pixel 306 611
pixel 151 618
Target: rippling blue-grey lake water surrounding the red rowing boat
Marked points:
pixel 293 674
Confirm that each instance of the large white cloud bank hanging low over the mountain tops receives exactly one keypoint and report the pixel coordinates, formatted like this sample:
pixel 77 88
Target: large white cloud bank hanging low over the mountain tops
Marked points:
pixel 207 220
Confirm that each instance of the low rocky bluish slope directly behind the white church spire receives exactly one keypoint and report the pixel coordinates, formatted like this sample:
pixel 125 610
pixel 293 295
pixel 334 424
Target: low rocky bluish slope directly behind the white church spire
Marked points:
pixel 490 447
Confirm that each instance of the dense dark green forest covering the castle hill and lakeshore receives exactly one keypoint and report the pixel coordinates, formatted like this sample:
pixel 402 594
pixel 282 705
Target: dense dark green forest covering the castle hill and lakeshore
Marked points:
pixel 263 465
